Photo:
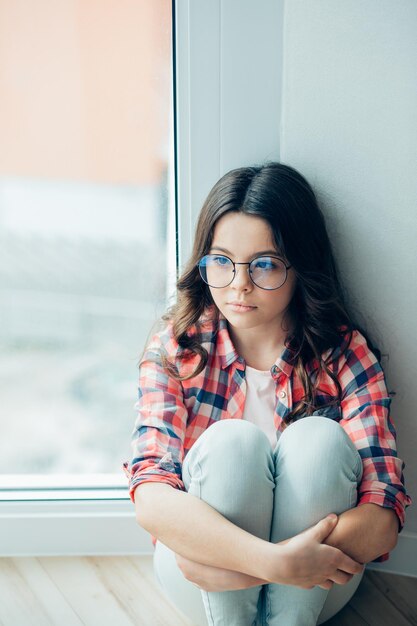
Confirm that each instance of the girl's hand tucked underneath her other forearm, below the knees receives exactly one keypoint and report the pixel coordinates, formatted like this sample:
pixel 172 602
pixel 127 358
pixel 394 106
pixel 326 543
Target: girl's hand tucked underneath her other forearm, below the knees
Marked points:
pixel 211 578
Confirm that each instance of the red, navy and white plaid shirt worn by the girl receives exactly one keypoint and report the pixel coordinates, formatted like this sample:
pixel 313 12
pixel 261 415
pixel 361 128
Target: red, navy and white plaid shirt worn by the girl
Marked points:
pixel 172 414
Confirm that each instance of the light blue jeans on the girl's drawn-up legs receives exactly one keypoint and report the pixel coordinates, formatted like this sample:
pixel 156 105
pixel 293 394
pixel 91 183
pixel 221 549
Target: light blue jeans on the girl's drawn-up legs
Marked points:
pixel 314 470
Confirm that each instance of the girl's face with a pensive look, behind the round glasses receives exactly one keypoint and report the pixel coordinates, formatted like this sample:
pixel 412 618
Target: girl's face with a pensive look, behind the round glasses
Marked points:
pixel 242 238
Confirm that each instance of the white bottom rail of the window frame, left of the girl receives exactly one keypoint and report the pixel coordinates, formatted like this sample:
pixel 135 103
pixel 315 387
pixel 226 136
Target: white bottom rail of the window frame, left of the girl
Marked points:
pixel 70 522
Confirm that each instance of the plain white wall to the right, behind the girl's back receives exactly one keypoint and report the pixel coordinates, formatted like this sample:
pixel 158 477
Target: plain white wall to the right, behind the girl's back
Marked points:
pixel 349 124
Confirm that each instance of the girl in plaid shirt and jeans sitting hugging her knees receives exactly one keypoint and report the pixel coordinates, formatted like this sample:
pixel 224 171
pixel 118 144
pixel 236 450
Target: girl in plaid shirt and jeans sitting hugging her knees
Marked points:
pixel 231 481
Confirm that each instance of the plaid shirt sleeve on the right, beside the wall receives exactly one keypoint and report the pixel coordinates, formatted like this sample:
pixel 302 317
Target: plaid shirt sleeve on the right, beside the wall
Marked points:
pixel 365 410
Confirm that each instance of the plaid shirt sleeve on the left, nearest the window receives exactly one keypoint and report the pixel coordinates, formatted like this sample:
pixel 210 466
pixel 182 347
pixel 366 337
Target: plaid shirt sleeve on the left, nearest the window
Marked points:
pixel 159 430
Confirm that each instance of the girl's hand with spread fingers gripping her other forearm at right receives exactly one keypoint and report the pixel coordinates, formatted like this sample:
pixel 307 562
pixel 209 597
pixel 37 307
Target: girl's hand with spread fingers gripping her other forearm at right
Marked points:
pixel 308 562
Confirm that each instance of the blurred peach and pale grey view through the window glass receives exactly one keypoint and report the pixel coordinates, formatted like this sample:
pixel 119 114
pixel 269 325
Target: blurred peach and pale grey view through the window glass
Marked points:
pixel 86 224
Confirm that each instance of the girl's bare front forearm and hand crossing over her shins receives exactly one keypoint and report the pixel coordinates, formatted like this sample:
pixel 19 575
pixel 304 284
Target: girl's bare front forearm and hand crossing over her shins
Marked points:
pixel 195 530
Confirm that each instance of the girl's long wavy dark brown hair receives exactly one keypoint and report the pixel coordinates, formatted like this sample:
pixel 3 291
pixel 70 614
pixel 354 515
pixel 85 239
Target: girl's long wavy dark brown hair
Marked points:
pixel 280 195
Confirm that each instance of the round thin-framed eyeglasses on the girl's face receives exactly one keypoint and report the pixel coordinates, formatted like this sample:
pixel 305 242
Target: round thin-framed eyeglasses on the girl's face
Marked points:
pixel 266 272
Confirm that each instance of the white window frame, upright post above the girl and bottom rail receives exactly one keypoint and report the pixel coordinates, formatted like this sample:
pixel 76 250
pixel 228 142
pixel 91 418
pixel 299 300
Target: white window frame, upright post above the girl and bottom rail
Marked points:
pixel 228 76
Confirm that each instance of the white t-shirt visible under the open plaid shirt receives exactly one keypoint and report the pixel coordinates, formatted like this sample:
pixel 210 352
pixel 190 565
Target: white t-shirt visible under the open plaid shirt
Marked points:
pixel 260 402
